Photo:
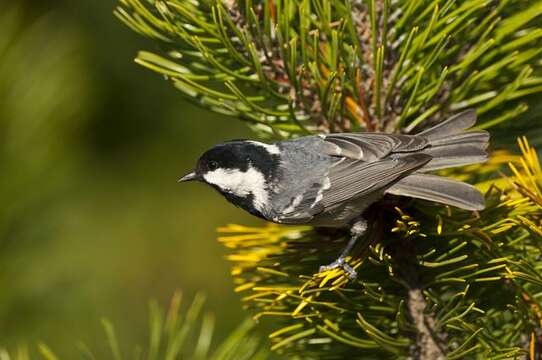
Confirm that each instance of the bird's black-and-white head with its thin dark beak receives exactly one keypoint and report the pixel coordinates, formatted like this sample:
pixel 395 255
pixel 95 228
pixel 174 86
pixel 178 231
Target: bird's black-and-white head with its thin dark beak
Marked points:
pixel 241 170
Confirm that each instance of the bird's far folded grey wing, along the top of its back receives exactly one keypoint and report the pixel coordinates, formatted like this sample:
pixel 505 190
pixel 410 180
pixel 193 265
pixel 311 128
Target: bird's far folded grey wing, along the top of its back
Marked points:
pixel 371 146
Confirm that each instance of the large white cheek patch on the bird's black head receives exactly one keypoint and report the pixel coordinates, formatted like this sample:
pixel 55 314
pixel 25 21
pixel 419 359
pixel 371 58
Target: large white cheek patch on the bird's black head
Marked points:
pixel 241 183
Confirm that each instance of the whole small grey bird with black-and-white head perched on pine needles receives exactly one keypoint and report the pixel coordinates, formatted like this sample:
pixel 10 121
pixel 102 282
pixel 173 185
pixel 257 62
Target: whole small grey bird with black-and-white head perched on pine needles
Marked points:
pixel 330 180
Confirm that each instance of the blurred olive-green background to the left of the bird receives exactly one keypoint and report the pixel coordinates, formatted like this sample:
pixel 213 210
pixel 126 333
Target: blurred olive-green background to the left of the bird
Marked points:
pixel 93 222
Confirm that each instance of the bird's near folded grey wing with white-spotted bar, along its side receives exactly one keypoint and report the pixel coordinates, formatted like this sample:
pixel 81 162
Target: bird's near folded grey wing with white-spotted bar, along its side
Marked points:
pixel 349 179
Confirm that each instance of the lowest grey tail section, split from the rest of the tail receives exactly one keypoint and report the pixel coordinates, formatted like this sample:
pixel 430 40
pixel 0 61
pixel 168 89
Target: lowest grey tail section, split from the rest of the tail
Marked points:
pixel 439 189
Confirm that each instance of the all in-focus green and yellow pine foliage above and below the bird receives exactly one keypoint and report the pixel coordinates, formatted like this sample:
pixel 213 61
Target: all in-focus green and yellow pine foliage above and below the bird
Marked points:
pixel 434 282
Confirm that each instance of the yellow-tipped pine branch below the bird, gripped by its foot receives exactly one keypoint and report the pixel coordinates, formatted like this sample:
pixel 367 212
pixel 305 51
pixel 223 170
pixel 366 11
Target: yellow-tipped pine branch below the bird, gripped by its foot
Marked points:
pixel 441 266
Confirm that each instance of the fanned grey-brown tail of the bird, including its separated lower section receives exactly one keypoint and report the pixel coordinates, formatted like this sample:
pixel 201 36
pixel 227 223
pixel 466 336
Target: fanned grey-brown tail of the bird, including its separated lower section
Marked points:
pixel 450 146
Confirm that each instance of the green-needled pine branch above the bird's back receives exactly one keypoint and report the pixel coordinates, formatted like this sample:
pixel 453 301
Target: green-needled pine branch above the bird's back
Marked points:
pixel 345 65
